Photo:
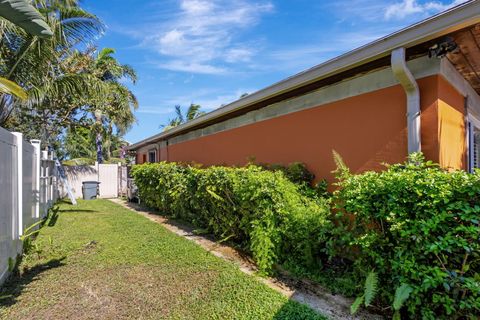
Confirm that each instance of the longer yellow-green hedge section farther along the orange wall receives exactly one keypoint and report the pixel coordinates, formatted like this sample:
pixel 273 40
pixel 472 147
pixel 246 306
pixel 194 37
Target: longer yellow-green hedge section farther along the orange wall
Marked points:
pixel 261 211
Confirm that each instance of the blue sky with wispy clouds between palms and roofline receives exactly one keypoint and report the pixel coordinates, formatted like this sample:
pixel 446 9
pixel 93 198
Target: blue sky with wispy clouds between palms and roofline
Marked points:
pixel 211 52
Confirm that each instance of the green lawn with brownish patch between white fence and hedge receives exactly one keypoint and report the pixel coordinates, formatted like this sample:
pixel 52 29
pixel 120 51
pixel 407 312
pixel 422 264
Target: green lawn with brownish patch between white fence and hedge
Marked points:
pixel 99 260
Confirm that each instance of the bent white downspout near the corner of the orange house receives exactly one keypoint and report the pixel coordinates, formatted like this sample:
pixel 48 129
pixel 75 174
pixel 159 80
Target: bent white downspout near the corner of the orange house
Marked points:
pixel 407 80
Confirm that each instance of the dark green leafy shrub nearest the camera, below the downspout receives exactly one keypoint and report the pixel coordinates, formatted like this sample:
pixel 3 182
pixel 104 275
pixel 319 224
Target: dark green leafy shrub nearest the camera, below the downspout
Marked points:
pixel 417 226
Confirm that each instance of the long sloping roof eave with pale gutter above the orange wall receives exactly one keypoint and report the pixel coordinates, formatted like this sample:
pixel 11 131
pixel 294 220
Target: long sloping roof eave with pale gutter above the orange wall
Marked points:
pixel 445 23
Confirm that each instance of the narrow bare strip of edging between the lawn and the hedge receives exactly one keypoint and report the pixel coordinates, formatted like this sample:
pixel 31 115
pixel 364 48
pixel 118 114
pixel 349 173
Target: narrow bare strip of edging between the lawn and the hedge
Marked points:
pixel 300 290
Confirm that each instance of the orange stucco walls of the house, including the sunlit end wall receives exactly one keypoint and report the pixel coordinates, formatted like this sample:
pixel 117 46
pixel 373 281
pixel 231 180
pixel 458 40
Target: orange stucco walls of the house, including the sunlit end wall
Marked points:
pixel 367 130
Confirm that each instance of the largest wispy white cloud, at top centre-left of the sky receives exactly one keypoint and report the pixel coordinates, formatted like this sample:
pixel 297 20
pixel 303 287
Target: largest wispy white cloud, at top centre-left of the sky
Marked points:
pixel 200 37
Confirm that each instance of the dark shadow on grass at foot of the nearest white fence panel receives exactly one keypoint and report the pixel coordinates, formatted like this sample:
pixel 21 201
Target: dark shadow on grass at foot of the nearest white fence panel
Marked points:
pixel 15 285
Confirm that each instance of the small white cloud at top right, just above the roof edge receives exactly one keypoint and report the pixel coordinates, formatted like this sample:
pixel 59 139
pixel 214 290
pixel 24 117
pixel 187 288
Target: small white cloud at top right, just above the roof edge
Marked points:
pixel 406 8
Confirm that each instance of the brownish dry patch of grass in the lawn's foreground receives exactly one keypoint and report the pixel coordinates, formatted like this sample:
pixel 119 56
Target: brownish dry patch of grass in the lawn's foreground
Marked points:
pixel 119 292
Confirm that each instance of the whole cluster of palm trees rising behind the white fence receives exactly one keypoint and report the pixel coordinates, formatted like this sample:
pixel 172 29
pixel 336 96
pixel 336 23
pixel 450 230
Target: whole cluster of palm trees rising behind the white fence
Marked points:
pixel 65 87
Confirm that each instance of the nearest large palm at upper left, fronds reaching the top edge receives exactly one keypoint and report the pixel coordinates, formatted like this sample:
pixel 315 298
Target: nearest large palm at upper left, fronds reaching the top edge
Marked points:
pixel 38 64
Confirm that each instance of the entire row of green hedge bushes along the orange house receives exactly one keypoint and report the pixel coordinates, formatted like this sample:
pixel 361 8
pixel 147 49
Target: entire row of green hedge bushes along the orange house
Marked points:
pixel 415 225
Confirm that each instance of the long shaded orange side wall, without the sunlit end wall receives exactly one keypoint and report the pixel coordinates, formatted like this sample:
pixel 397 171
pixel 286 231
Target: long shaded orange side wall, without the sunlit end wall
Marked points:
pixel 366 130
